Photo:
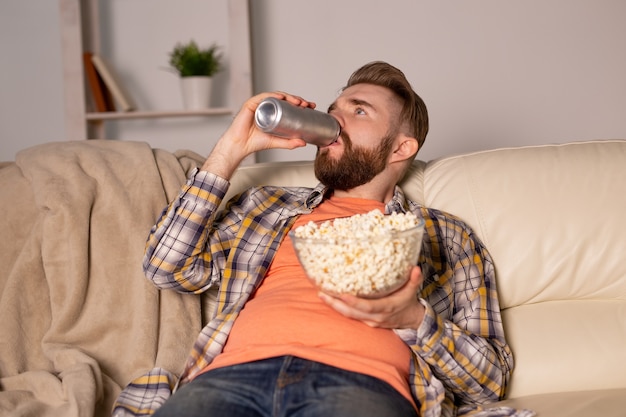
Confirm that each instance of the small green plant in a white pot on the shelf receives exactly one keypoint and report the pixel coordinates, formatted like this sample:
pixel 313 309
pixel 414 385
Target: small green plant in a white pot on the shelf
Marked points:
pixel 196 66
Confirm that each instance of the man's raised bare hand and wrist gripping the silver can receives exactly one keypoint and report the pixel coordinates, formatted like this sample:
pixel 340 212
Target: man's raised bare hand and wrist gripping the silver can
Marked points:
pixel 244 138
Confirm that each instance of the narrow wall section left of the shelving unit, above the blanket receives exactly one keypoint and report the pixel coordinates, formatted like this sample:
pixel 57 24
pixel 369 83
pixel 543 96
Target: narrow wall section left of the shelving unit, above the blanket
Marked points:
pixel 31 92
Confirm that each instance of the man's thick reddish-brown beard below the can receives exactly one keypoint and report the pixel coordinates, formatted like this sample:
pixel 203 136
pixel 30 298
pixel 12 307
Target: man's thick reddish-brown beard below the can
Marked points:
pixel 357 165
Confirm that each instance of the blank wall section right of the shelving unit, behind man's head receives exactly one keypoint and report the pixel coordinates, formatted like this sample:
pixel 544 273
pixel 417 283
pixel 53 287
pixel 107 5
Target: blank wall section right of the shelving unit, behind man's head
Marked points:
pixel 492 73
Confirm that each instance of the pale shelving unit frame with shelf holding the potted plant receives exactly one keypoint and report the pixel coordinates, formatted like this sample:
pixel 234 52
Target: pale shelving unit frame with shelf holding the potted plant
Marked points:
pixel 80 30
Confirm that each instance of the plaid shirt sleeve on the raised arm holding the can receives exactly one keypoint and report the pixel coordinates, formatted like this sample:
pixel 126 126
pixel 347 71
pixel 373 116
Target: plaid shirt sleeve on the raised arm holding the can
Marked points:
pixel 175 256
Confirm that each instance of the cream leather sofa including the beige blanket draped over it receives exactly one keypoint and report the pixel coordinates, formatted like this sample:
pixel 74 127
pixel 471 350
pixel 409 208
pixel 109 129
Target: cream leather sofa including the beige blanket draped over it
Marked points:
pixel 79 321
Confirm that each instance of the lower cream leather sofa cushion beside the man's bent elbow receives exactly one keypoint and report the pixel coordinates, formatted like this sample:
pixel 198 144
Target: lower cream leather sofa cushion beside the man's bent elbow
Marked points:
pixel 567 345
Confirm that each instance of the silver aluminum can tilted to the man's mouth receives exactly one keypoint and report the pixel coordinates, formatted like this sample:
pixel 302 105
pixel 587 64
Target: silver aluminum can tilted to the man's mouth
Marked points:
pixel 280 118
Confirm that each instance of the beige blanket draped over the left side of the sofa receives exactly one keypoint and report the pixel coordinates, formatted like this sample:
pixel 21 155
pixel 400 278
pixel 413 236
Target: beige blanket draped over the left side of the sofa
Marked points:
pixel 78 320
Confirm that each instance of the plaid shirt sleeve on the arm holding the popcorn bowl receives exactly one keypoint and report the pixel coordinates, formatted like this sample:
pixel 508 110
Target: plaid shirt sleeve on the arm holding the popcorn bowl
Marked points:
pixel 461 338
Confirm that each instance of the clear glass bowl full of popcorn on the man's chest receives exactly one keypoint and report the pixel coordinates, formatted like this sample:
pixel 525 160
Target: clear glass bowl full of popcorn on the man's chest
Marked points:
pixel 368 255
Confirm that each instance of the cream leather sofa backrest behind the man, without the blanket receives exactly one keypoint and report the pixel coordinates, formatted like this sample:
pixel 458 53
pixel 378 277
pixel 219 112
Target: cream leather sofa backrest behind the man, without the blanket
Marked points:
pixel 552 217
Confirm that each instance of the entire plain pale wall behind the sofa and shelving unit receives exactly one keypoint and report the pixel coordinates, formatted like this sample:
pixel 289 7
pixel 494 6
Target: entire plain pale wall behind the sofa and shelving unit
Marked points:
pixel 492 73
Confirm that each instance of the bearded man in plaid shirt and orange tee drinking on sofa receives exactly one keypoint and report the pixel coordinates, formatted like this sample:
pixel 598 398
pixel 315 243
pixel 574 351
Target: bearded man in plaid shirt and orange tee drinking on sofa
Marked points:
pixel 277 346
